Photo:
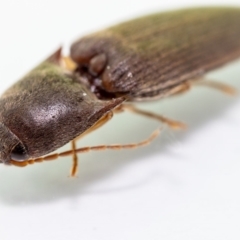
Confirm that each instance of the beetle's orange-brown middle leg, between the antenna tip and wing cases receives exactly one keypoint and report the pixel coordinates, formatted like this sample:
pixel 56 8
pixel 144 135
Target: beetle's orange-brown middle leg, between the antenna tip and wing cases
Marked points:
pixel 171 123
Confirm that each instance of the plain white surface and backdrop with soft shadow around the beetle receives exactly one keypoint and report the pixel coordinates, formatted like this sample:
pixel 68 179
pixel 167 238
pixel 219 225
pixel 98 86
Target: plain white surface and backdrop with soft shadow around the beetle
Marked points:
pixel 185 185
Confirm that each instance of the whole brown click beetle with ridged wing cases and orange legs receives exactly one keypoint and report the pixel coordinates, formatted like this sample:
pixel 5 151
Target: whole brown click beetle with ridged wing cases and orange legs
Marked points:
pixel 145 59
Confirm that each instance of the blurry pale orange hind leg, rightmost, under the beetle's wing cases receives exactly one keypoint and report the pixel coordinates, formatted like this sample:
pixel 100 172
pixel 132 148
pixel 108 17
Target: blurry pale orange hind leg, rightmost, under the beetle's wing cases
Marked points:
pixel 216 85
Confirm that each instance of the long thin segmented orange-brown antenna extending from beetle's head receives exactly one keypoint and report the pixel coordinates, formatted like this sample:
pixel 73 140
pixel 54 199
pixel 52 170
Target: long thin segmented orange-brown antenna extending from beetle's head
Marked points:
pixel 87 149
